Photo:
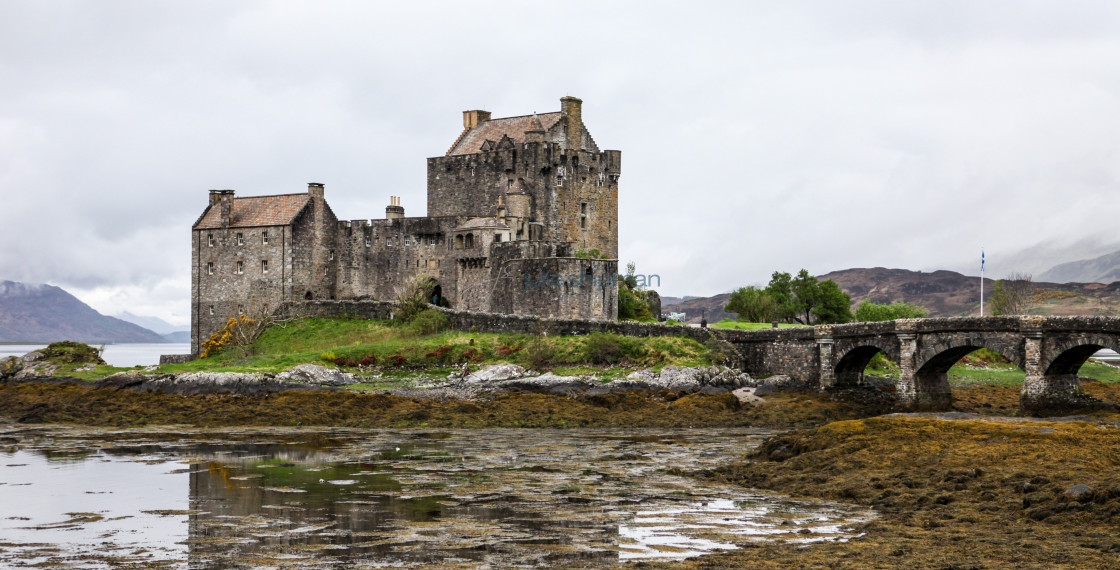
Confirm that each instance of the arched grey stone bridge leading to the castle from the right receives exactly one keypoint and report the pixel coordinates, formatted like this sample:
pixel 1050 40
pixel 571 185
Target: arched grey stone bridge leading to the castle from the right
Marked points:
pixel 1050 350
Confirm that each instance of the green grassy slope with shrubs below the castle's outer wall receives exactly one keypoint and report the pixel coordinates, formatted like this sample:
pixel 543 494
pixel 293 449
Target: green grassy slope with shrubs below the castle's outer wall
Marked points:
pixel 395 351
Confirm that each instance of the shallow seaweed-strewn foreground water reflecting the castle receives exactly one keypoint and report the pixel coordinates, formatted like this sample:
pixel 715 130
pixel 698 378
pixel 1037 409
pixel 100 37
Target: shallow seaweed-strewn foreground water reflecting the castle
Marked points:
pixel 80 498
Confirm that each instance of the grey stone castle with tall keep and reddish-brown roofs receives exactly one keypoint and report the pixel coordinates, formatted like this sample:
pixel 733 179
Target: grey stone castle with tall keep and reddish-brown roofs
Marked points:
pixel 522 219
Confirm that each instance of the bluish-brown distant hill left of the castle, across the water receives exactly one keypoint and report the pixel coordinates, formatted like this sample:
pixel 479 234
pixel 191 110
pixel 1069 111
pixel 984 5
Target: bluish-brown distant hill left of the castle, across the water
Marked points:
pixel 45 314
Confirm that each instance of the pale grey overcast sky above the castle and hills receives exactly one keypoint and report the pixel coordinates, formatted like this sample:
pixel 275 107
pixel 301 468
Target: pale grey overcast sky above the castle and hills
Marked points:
pixel 755 136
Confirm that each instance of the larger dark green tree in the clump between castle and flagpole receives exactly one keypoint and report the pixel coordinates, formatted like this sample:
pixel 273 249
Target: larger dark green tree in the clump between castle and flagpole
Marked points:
pixel 805 300
